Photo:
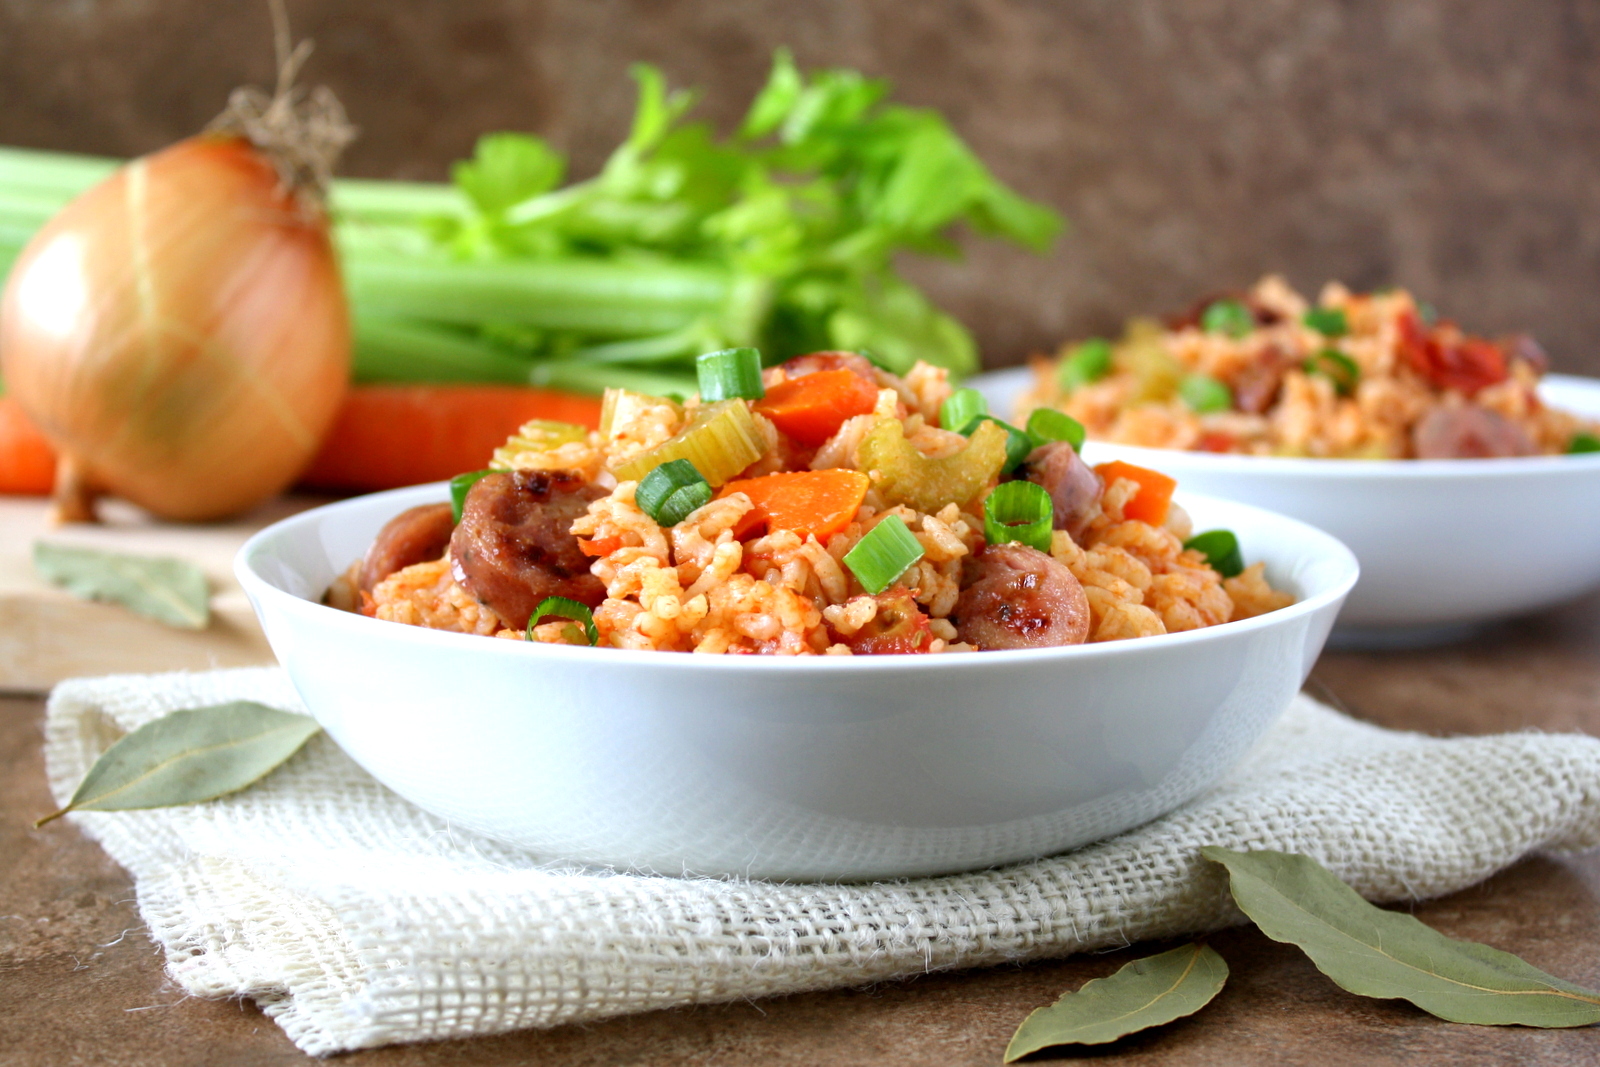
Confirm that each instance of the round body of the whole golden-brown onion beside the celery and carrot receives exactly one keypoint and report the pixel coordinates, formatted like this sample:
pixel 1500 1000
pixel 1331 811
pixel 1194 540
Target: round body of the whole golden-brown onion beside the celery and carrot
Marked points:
pixel 180 332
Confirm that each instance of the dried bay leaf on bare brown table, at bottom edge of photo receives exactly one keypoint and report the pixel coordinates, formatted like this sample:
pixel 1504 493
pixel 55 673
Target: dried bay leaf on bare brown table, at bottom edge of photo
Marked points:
pixel 1145 994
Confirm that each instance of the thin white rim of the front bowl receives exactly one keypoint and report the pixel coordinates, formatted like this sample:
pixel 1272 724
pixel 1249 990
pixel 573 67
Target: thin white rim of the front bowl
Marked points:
pixel 1327 549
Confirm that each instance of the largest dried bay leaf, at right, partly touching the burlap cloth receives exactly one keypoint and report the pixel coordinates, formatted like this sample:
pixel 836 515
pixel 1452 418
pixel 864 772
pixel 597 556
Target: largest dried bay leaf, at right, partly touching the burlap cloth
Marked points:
pixel 1375 953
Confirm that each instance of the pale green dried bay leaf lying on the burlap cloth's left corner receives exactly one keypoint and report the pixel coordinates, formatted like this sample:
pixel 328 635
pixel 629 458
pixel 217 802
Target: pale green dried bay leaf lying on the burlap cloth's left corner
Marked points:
pixel 191 756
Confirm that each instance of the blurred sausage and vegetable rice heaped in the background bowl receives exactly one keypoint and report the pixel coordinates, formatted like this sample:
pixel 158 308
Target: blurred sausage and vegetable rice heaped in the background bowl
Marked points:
pixel 1353 377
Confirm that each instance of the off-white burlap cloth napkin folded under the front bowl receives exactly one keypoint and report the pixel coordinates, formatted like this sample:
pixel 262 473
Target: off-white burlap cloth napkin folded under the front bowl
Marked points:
pixel 358 921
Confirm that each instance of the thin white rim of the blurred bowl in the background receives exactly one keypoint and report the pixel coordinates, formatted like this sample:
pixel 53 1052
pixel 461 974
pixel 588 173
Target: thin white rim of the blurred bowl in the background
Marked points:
pixel 1225 463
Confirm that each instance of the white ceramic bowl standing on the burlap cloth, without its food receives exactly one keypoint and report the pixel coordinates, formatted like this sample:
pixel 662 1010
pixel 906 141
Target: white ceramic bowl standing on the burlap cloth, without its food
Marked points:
pixel 809 769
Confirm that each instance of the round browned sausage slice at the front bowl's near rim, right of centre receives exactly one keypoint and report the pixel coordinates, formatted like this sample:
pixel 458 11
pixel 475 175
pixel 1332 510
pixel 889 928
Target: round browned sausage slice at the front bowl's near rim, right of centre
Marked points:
pixel 1022 599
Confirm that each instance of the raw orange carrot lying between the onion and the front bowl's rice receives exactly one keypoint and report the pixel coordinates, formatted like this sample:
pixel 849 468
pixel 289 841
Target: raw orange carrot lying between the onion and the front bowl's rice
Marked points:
pixel 393 436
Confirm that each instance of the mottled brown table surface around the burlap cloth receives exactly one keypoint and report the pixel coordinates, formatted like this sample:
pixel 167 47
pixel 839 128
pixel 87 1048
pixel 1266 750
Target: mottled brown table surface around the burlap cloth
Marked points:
pixel 82 985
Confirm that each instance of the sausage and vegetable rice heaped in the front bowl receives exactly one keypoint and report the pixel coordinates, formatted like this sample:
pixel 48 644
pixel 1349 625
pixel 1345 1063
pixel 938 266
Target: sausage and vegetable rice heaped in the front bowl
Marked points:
pixel 817 508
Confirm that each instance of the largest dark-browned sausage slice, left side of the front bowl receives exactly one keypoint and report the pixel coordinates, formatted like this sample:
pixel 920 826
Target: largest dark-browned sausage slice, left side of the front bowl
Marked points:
pixel 514 545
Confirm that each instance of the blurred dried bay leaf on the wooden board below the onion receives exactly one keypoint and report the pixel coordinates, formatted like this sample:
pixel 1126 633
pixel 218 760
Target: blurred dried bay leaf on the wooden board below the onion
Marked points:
pixel 164 589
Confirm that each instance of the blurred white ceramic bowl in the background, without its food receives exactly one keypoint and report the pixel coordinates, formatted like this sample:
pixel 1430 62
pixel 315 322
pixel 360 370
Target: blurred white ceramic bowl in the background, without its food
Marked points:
pixel 1446 545
